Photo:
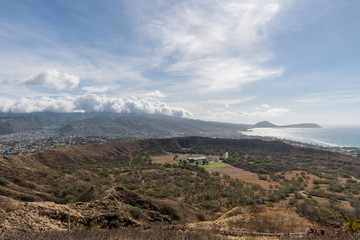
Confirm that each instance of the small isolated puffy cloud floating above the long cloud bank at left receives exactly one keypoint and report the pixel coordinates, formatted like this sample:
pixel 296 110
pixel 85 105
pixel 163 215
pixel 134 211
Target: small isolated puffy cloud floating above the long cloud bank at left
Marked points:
pixel 54 79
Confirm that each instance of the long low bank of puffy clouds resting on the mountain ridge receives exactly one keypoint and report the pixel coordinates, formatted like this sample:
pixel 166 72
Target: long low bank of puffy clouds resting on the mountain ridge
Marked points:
pixel 91 103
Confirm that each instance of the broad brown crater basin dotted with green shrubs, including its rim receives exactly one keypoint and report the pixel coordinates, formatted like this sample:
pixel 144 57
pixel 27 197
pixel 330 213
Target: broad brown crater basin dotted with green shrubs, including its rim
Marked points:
pixel 141 182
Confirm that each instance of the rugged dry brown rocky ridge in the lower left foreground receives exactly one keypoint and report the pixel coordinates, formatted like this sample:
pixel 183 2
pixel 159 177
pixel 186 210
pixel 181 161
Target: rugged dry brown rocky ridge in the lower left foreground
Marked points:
pixel 117 208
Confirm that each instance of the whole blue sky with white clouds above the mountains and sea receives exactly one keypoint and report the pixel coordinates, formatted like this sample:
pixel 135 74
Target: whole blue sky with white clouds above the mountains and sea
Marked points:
pixel 236 61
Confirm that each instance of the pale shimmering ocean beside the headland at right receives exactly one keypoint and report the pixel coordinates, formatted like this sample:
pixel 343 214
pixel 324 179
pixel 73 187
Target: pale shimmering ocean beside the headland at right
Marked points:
pixel 326 136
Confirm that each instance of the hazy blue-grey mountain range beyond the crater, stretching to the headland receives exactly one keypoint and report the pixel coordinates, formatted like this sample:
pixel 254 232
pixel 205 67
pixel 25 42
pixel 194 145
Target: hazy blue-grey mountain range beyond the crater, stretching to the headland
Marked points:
pixel 125 125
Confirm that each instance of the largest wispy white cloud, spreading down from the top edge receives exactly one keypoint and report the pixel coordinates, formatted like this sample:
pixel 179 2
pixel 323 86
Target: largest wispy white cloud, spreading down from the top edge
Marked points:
pixel 216 44
